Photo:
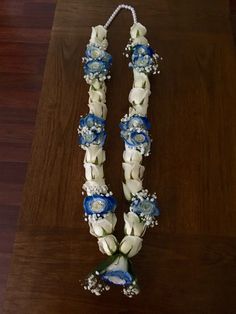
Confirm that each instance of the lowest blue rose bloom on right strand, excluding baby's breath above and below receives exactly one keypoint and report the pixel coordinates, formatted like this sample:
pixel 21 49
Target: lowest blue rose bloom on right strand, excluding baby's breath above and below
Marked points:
pixel 146 207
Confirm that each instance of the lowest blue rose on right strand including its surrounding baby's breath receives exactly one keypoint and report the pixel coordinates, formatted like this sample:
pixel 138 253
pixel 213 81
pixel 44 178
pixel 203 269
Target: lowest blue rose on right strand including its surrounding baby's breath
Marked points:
pixel 145 205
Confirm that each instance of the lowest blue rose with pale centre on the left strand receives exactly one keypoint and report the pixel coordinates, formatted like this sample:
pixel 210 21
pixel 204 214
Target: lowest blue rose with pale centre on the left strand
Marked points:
pixel 99 204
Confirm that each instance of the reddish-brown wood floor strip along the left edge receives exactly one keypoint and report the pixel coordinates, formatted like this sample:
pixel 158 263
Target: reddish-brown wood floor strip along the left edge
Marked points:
pixel 24 35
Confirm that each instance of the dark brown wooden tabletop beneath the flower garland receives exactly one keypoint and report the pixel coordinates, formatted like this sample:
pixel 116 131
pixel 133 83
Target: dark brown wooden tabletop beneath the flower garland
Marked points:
pixel 187 265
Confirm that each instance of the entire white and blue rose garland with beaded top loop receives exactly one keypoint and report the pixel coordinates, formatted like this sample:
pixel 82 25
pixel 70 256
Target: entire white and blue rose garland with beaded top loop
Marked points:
pixel 99 203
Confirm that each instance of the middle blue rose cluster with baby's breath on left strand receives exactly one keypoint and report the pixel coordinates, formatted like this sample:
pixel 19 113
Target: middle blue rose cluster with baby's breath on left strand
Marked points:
pixel 92 130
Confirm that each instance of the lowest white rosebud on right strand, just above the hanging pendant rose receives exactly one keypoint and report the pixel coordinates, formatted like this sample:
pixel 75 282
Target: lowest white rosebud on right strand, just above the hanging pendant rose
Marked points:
pixel 130 245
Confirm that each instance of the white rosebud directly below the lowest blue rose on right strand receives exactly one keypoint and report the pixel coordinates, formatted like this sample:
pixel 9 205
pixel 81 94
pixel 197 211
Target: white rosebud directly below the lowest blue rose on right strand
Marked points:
pixel 133 225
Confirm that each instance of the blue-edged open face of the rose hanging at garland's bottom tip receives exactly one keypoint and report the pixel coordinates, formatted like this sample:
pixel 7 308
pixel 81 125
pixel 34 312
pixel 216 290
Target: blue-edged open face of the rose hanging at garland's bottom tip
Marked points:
pixel 118 277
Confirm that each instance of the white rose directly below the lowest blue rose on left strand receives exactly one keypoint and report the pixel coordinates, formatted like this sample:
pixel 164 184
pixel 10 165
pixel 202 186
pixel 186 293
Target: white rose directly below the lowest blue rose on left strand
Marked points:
pixel 102 226
